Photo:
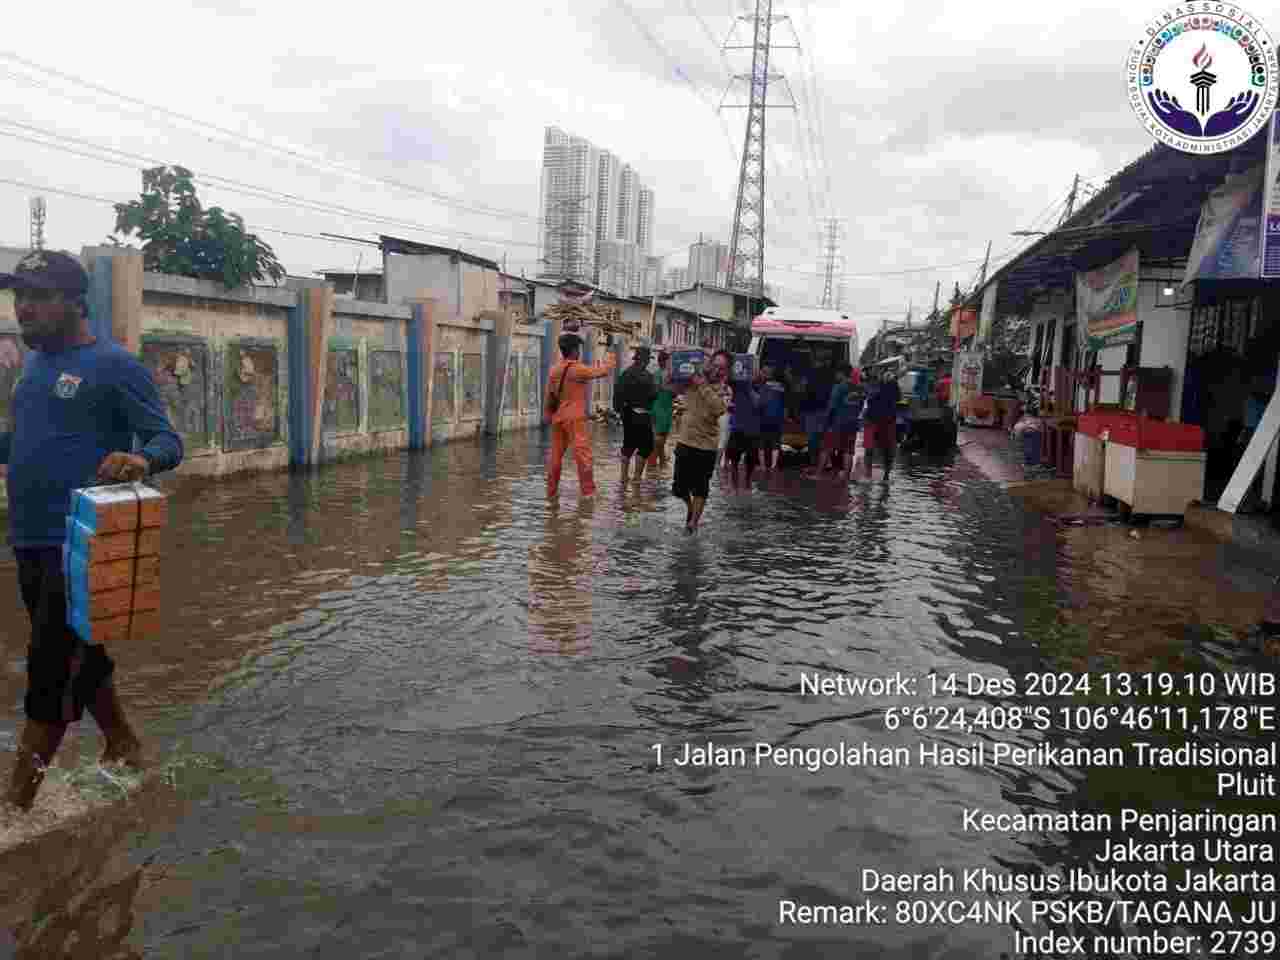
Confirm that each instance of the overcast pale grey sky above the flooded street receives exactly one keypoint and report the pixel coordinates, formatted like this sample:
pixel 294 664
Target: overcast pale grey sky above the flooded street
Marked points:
pixel 930 129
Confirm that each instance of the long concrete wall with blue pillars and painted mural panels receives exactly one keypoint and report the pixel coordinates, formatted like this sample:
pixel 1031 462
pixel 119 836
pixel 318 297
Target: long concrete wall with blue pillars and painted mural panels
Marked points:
pixel 266 378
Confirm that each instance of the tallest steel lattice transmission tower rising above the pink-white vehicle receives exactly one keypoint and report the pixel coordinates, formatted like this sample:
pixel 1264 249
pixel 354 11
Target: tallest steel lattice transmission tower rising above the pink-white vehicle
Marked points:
pixel 747 248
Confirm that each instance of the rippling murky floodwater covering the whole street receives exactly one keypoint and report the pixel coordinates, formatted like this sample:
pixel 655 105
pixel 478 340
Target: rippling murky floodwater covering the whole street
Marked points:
pixel 404 708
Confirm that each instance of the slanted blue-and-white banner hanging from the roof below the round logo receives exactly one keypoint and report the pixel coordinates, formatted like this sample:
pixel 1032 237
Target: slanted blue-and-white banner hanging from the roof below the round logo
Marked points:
pixel 1227 236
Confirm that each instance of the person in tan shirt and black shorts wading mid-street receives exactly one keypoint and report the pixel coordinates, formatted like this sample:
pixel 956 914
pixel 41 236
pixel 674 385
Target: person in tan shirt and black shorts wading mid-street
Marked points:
pixel 698 413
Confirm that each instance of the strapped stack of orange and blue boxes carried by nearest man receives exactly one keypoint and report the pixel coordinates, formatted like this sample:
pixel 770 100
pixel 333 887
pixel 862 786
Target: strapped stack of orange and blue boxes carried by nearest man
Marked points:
pixel 112 561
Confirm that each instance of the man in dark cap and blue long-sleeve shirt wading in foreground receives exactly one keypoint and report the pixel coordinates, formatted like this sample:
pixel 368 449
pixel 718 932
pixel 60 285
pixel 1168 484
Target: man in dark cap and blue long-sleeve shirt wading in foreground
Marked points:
pixel 76 412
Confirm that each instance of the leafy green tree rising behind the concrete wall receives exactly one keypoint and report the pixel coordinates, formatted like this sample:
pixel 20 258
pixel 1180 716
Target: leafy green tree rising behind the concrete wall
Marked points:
pixel 181 237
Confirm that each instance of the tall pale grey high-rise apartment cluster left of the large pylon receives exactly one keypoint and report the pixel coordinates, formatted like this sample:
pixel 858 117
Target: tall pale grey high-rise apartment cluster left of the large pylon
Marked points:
pixel 597 216
